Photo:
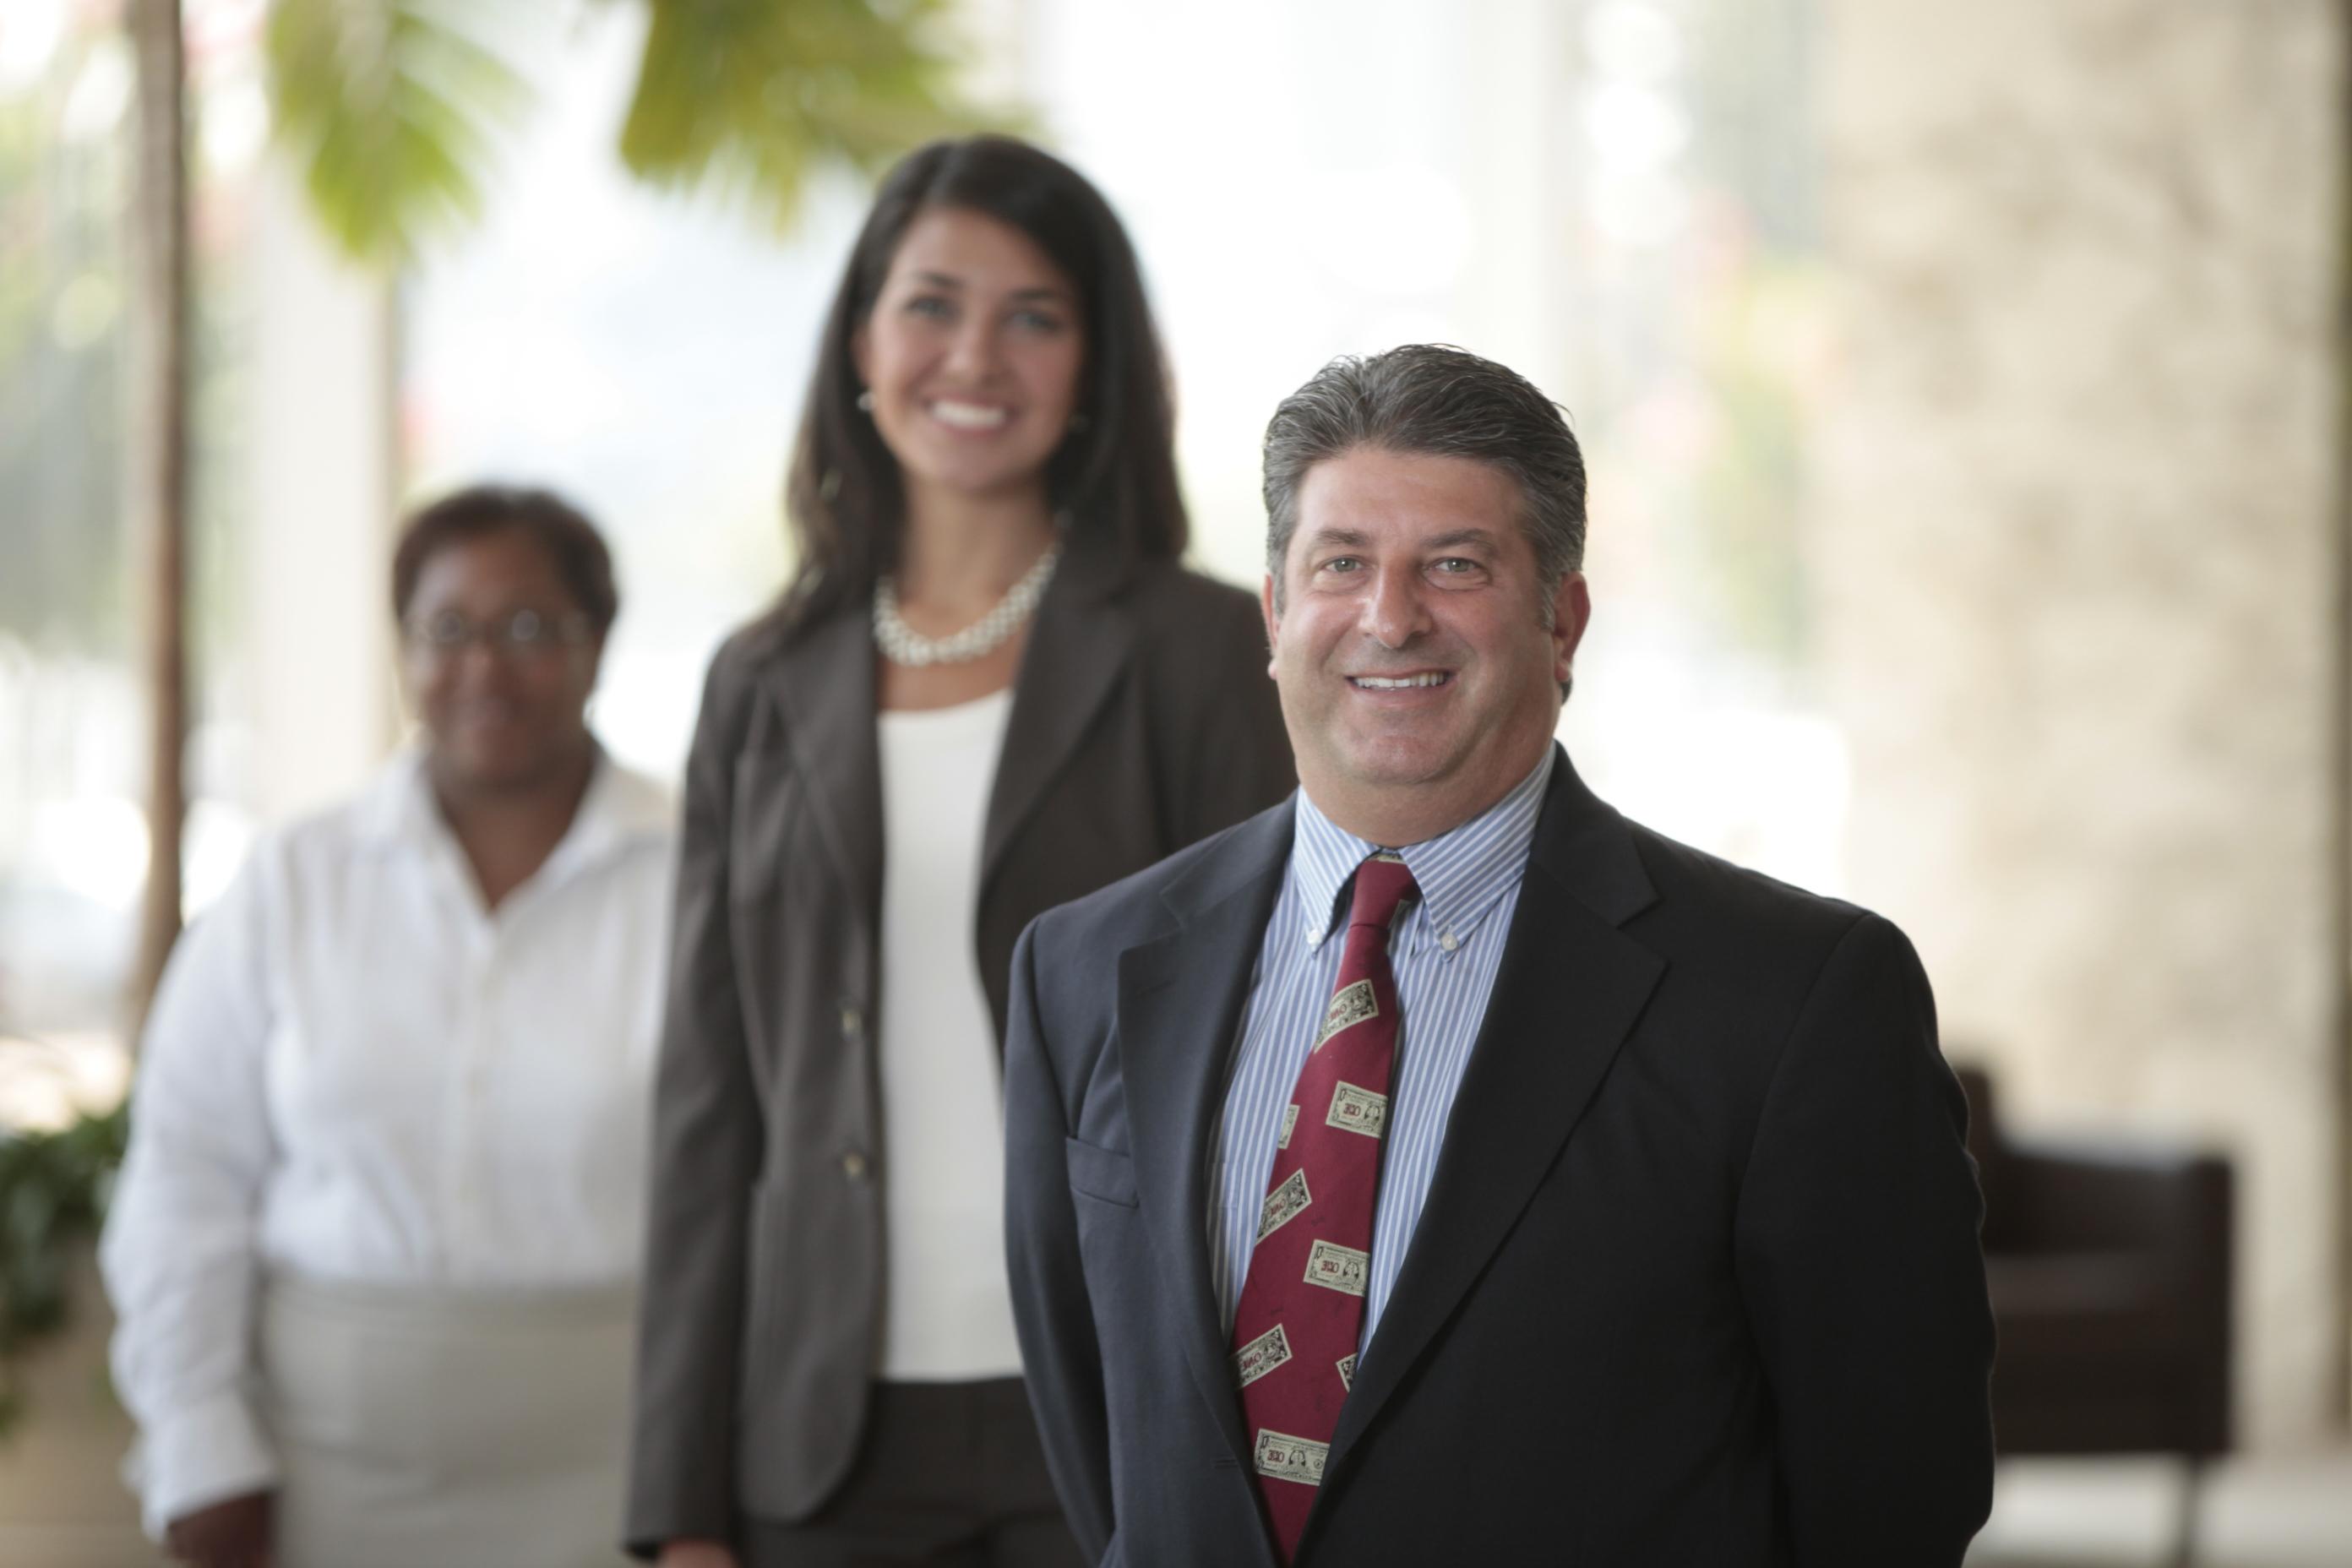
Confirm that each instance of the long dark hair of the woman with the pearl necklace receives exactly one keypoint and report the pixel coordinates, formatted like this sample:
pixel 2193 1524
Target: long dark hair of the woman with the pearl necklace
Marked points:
pixel 1116 471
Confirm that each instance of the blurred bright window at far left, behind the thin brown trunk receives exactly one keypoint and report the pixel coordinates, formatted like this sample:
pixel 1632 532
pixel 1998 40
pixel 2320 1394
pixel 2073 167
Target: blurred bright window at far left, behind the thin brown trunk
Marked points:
pixel 72 697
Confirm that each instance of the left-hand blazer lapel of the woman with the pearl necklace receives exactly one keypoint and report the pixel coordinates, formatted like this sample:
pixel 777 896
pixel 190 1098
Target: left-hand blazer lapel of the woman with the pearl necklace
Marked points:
pixel 824 683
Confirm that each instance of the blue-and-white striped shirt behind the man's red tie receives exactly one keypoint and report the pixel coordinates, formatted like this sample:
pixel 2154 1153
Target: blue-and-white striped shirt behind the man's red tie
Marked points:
pixel 1445 953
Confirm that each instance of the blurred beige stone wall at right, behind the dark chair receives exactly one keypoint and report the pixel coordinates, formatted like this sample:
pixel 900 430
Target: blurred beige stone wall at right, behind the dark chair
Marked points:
pixel 2076 547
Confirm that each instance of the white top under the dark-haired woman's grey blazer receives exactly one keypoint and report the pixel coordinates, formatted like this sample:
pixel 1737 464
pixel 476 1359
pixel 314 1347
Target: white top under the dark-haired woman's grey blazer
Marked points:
pixel 947 1296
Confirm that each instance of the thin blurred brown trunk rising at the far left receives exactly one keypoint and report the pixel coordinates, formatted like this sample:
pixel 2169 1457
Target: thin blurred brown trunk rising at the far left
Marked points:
pixel 161 464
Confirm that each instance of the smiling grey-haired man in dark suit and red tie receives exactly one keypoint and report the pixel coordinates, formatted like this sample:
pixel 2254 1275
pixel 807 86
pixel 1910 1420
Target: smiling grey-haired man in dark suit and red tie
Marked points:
pixel 1445 1170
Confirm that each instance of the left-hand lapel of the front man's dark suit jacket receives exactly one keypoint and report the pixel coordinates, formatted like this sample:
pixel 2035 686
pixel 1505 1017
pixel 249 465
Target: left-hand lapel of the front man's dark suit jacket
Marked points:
pixel 1180 1010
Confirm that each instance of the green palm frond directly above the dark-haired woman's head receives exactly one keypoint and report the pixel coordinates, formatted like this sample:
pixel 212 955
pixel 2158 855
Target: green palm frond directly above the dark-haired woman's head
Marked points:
pixel 756 95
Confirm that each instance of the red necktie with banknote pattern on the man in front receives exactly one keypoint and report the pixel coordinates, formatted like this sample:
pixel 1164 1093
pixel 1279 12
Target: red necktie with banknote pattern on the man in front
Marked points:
pixel 1304 1299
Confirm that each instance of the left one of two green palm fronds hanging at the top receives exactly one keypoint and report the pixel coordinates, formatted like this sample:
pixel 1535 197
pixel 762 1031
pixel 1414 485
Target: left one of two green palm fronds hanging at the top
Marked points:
pixel 392 107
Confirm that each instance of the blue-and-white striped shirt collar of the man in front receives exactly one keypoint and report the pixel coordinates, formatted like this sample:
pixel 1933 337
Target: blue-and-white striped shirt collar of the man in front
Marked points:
pixel 1462 873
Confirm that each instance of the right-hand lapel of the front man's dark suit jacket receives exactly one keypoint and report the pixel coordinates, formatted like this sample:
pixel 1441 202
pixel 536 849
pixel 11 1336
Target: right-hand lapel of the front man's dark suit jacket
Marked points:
pixel 1565 998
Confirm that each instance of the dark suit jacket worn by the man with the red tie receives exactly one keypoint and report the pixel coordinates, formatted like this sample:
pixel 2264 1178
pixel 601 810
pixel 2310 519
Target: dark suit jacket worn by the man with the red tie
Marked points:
pixel 1697 1285
